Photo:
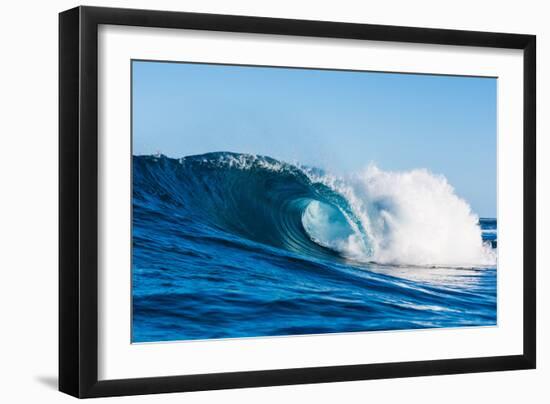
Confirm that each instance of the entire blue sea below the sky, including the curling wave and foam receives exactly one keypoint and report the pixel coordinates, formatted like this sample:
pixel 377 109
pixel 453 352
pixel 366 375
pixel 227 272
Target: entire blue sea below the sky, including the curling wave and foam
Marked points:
pixel 230 245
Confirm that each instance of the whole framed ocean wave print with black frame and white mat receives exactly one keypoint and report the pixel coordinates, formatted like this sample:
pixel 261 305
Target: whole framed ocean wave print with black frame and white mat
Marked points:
pixel 250 201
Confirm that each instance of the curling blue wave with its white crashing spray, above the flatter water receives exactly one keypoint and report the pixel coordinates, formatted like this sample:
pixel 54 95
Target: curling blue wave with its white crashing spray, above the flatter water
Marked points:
pixel 397 218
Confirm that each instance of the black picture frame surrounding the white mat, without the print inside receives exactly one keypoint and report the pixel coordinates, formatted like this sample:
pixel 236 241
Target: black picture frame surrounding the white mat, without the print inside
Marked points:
pixel 78 201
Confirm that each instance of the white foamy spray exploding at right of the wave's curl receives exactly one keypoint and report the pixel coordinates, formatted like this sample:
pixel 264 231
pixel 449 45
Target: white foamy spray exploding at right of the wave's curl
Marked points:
pixel 409 218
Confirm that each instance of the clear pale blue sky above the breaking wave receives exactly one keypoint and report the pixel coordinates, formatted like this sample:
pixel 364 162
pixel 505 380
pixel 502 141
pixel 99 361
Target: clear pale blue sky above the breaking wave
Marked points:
pixel 337 120
